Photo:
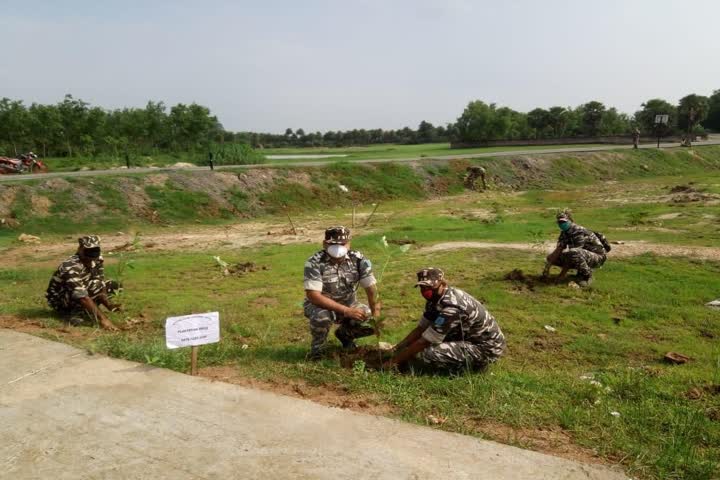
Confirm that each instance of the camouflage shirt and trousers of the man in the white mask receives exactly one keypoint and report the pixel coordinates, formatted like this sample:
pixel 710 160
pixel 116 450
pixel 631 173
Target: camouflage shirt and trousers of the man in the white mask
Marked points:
pixel 339 282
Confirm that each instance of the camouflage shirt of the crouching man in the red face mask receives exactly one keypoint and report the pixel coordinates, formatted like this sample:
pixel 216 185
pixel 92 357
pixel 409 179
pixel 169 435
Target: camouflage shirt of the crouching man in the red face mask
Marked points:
pixel 457 316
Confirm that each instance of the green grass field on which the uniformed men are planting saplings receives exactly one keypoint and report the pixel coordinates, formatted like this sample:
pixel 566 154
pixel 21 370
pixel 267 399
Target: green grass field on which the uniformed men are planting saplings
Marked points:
pixel 554 391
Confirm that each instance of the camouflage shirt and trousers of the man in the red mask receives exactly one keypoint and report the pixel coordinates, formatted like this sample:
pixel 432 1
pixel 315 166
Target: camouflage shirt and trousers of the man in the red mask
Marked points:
pixel 464 335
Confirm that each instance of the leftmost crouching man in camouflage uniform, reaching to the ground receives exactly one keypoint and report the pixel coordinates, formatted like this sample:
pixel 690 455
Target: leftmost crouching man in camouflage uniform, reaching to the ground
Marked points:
pixel 78 286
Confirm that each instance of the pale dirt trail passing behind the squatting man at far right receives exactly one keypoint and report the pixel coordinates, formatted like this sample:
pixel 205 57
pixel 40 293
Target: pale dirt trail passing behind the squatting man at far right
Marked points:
pixel 627 249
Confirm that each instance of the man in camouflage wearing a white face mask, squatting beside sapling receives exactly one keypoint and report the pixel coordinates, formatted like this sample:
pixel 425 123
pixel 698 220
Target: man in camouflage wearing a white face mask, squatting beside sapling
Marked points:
pixel 332 276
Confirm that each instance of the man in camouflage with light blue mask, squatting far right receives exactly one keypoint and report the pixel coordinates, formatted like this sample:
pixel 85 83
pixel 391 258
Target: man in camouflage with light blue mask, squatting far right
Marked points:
pixel 584 251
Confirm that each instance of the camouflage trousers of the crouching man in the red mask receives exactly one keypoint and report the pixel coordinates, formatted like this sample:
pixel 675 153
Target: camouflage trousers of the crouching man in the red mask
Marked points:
pixel 453 357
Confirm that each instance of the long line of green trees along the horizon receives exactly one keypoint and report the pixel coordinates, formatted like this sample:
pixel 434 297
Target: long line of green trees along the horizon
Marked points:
pixel 73 127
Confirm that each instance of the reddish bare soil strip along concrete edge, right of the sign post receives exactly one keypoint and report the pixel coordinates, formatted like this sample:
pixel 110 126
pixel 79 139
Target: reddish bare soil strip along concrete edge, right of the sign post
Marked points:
pixel 329 395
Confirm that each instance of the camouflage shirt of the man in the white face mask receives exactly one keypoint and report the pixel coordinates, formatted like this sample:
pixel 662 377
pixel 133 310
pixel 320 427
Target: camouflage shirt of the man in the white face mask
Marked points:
pixel 338 281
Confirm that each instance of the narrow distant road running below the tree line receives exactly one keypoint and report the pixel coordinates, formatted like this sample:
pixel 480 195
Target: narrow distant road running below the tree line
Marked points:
pixel 714 140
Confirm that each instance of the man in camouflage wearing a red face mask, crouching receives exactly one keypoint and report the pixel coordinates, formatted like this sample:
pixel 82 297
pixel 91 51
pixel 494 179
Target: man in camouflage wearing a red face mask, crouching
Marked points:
pixel 456 333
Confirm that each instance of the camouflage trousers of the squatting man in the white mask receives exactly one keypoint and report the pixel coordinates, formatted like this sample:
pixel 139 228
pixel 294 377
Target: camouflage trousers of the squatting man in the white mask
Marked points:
pixel 322 319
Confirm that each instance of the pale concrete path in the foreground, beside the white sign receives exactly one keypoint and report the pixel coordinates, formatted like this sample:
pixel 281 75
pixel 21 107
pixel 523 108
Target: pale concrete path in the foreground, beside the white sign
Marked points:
pixel 69 415
